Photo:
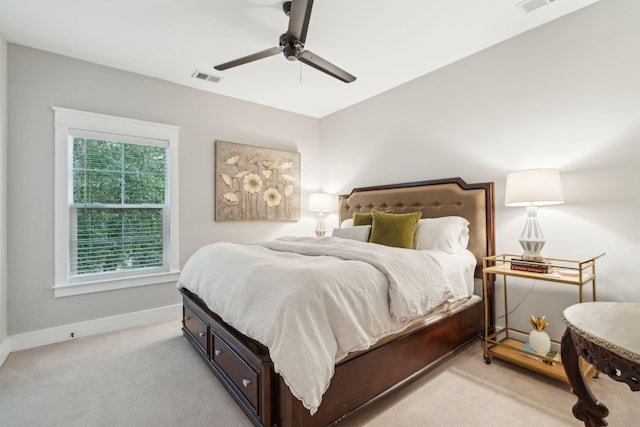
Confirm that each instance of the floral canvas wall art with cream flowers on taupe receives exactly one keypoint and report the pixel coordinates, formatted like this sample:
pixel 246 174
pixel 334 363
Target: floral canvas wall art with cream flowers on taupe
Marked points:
pixel 256 183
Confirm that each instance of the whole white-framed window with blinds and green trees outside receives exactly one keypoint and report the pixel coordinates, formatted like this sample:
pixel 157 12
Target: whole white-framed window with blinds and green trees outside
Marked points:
pixel 115 179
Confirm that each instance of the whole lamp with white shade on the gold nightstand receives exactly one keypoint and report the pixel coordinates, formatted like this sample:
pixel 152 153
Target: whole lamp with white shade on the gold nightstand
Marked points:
pixel 533 188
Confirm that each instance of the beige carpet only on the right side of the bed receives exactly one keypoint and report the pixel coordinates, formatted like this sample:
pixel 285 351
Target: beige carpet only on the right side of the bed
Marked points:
pixel 465 391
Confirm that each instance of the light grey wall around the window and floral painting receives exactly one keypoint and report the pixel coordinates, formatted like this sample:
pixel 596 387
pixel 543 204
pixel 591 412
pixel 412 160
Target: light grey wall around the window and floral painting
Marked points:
pixel 39 80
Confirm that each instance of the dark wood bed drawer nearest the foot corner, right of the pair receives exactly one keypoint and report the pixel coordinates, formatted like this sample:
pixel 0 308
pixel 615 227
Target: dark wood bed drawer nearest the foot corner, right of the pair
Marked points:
pixel 241 374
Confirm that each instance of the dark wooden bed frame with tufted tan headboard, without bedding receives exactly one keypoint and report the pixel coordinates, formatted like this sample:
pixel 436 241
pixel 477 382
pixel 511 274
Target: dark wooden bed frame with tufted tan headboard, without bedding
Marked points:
pixel 245 369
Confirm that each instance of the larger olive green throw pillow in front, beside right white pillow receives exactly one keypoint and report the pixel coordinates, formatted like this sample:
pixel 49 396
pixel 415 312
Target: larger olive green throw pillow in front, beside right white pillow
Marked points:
pixel 395 230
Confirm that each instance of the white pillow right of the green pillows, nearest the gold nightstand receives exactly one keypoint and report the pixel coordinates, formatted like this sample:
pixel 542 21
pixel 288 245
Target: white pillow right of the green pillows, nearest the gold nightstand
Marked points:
pixel 447 233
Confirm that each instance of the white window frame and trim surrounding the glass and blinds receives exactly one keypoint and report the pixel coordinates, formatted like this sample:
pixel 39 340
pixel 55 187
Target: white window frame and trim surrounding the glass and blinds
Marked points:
pixel 68 122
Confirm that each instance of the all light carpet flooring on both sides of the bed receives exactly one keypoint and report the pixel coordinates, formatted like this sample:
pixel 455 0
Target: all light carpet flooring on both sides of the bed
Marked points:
pixel 151 376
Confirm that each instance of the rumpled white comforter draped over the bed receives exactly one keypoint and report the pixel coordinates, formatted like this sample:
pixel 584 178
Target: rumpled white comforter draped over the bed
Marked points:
pixel 312 301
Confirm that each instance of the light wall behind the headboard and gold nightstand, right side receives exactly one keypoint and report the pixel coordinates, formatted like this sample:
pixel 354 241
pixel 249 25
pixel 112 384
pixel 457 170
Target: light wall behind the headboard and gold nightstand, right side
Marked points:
pixel 565 95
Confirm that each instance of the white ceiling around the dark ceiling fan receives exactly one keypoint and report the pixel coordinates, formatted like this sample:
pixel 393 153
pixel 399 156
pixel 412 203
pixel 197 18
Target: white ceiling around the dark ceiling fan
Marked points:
pixel 383 43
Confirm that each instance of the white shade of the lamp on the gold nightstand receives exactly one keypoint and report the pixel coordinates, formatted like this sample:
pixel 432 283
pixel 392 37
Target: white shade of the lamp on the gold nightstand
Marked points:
pixel 533 187
